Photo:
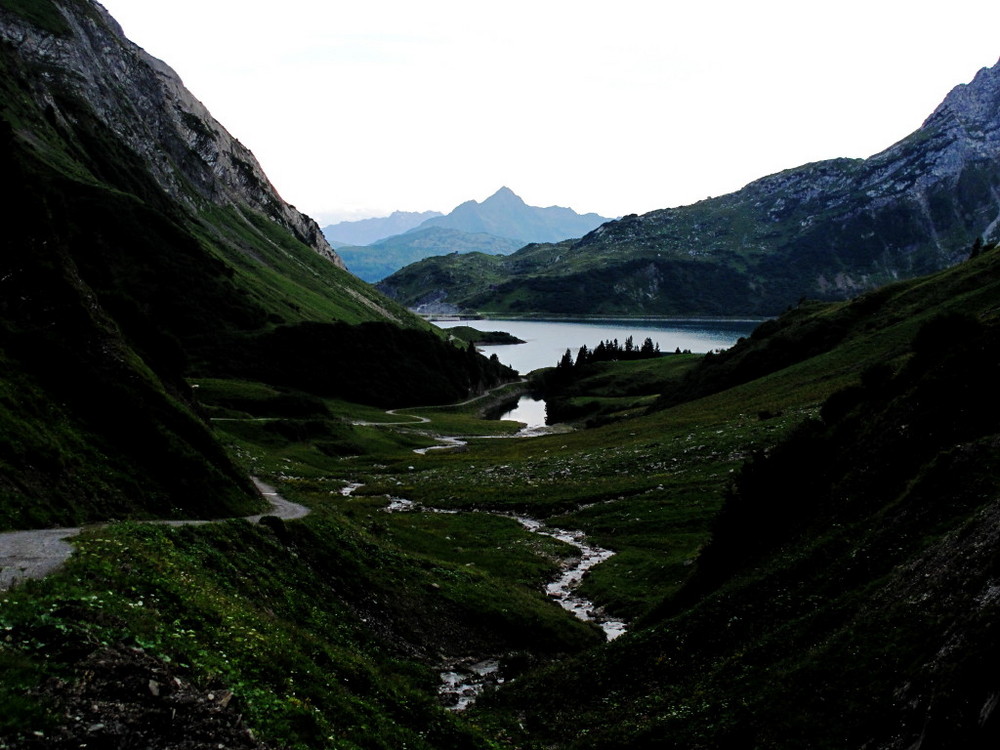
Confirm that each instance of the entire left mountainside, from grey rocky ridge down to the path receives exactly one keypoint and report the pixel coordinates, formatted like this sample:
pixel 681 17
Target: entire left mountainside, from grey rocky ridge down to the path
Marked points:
pixel 143 245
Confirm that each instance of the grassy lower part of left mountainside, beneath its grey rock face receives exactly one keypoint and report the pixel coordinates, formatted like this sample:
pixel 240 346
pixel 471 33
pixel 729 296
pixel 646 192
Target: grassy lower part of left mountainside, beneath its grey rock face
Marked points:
pixel 117 299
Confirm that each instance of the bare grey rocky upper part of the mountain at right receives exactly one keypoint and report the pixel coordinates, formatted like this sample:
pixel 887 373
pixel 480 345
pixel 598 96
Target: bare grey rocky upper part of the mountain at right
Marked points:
pixel 912 208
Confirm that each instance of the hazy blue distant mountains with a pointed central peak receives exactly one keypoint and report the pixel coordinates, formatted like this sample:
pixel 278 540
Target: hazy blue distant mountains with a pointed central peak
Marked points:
pixel 499 225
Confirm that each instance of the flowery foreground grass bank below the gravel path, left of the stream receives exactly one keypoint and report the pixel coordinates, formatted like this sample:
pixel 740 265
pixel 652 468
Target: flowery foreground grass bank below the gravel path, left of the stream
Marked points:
pixel 324 631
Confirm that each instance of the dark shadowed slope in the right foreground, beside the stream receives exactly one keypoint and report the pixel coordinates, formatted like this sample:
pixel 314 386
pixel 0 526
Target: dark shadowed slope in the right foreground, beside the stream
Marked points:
pixel 845 597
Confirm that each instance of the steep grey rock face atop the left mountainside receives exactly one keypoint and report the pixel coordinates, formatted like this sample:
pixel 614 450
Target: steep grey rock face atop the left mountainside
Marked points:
pixel 145 104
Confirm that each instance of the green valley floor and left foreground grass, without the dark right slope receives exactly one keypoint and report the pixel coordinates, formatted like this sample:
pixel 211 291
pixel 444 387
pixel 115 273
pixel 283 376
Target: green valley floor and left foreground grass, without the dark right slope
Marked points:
pixel 322 629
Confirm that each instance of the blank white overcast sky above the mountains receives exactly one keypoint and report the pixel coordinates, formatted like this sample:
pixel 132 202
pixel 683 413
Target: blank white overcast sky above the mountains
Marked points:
pixel 359 108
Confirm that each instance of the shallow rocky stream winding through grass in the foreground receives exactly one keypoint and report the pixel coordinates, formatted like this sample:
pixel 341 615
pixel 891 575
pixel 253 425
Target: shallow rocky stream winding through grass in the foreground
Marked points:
pixel 462 680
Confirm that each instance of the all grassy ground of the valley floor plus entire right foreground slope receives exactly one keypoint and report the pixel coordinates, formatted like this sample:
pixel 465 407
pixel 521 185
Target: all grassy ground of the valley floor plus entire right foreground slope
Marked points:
pixel 788 555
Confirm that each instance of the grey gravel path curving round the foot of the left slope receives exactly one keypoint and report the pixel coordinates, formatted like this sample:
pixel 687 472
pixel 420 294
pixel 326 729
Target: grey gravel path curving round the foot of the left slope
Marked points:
pixel 36 553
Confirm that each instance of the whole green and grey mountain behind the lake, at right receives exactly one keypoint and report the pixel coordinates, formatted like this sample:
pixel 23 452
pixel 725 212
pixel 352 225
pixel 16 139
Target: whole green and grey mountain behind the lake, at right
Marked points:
pixel 827 230
